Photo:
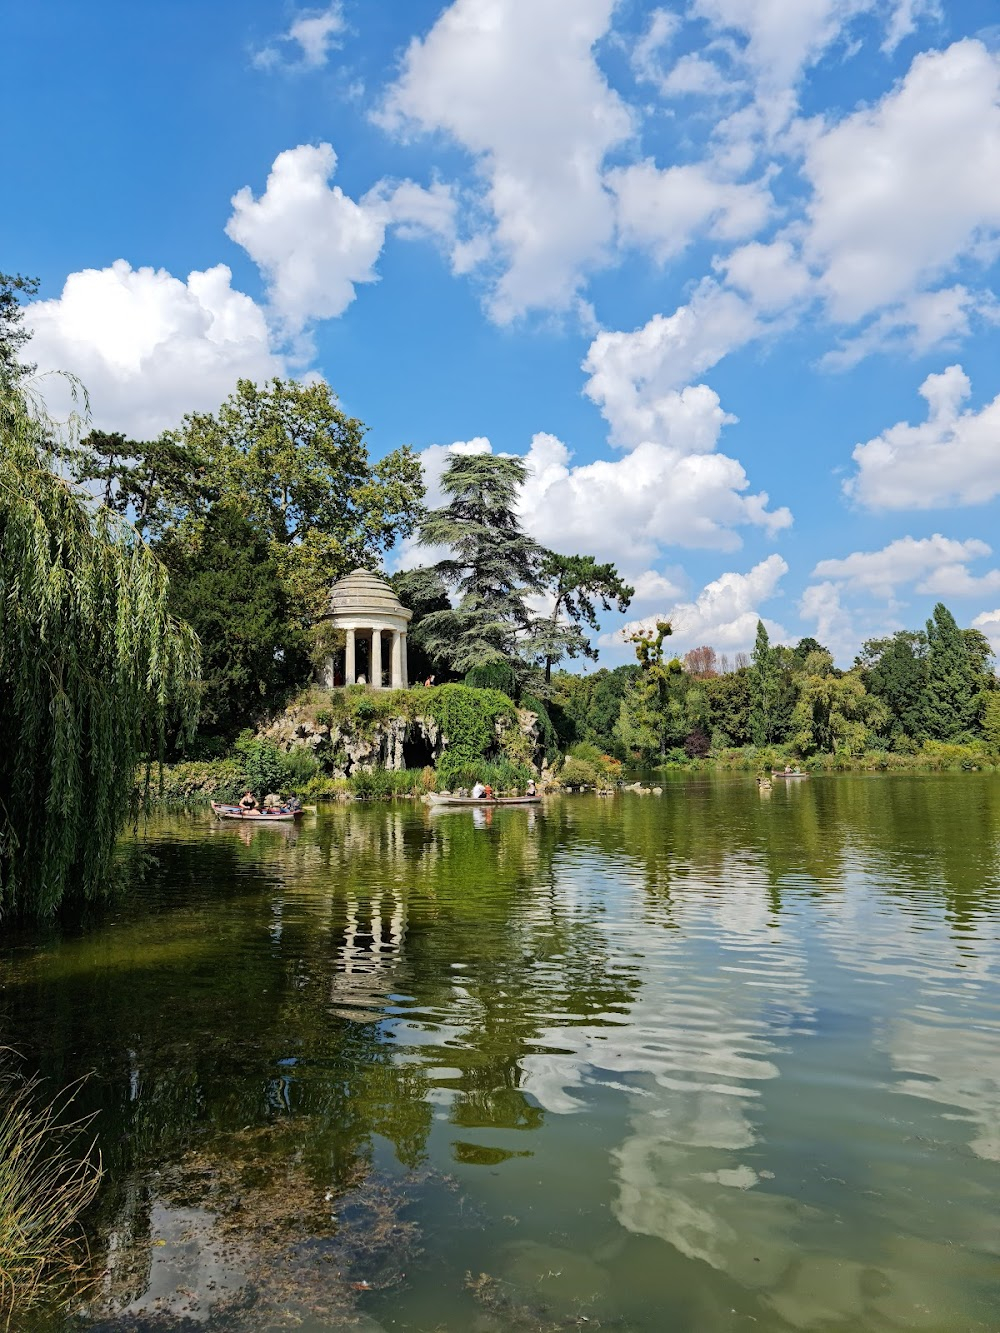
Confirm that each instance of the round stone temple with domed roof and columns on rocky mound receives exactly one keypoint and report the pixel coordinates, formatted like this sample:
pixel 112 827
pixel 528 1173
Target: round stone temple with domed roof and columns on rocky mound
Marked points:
pixel 375 625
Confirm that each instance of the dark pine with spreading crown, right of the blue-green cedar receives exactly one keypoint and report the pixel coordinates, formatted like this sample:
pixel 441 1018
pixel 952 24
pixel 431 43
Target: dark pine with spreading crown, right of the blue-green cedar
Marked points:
pixel 575 585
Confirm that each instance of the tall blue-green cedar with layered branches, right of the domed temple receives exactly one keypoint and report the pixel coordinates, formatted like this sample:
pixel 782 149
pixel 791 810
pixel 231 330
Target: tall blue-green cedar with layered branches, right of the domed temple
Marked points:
pixel 493 567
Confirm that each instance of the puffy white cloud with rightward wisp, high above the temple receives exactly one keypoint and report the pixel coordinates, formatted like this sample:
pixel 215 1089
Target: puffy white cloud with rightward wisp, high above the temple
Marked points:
pixel 314 243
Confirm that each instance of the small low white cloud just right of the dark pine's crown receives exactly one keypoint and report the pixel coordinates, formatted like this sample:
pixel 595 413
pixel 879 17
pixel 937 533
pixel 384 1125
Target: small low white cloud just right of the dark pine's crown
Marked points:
pixel 723 615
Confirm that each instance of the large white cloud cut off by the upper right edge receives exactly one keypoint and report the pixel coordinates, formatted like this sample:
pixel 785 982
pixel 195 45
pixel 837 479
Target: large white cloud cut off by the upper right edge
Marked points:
pixel 905 189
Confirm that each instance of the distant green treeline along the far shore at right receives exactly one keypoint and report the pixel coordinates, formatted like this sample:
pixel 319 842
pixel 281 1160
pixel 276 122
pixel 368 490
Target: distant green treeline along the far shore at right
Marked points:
pixel 933 684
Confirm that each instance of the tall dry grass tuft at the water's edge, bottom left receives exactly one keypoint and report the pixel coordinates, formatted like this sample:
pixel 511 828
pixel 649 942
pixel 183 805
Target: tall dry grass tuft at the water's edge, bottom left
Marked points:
pixel 50 1172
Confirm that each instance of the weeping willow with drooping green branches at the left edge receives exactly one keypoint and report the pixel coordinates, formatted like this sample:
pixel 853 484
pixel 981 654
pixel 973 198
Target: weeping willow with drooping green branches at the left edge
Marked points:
pixel 91 668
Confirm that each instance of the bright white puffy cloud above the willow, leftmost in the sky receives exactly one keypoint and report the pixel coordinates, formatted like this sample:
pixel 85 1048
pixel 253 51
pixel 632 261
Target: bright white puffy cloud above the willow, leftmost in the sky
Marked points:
pixel 150 347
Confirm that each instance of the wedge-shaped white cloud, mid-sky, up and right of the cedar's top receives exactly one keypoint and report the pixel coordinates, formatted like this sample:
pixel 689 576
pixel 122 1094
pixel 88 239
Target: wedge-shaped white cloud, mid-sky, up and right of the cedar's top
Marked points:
pixel 642 381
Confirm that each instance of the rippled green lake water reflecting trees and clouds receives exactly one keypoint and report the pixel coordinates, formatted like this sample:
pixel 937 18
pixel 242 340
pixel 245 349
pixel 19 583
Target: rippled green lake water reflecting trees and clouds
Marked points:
pixel 709 1062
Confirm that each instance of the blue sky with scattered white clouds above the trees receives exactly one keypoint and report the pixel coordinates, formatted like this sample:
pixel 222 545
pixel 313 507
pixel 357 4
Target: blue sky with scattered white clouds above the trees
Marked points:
pixel 722 271
